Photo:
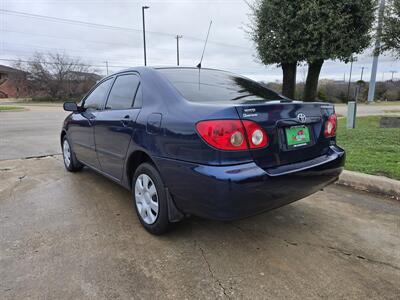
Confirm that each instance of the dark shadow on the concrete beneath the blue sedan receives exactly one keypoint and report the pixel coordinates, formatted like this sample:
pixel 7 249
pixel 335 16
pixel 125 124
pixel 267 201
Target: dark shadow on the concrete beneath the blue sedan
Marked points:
pixel 283 223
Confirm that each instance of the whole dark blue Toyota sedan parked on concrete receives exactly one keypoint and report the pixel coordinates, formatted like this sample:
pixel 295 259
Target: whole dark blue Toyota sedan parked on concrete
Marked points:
pixel 189 141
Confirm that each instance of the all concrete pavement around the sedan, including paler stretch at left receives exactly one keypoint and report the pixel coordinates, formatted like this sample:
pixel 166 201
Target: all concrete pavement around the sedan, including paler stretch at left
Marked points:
pixel 71 236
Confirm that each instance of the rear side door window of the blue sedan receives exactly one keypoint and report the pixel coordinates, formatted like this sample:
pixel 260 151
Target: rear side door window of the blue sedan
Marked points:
pixel 123 92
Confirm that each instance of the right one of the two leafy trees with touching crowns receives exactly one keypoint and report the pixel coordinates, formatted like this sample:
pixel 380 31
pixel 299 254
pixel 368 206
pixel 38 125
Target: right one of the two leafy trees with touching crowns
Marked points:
pixel 333 30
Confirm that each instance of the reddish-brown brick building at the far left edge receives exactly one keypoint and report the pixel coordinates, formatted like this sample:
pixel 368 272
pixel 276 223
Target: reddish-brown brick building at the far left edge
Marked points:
pixel 13 83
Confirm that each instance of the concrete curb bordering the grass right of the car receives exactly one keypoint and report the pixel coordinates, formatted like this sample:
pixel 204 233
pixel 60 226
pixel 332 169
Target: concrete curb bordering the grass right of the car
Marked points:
pixel 371 183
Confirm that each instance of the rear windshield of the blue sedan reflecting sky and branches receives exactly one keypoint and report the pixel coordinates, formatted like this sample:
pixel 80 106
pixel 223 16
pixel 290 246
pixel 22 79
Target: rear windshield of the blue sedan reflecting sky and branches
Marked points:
pixel 204 85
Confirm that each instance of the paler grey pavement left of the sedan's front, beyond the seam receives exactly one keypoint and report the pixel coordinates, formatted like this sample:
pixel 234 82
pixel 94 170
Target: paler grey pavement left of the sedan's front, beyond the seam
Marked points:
pixel 33 132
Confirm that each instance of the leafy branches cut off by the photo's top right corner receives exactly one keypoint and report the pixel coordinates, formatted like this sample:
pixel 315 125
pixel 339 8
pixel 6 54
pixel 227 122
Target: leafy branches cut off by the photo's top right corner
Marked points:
pixel 391 28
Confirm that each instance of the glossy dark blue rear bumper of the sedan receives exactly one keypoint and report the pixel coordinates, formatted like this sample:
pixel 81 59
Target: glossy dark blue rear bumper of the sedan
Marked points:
pixel 233 192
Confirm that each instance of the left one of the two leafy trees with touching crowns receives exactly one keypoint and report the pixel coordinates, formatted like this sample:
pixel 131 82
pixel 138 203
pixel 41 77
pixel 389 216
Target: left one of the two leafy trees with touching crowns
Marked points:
pixel 274 29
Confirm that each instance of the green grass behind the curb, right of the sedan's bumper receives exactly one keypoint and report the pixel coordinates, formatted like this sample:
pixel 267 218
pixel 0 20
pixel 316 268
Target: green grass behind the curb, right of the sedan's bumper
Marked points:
pixel 369 148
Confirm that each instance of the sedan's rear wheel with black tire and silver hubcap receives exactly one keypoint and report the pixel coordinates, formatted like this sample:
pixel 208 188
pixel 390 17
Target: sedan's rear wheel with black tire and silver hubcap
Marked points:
pixel 150 199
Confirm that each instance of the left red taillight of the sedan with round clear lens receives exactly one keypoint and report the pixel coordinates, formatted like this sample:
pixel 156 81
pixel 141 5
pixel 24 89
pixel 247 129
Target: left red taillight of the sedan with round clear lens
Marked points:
pixel 232 134
